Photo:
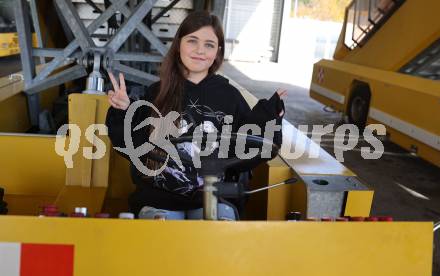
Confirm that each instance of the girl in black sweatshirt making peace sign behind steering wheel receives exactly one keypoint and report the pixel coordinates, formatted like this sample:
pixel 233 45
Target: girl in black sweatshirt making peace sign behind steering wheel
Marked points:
pixel 188 84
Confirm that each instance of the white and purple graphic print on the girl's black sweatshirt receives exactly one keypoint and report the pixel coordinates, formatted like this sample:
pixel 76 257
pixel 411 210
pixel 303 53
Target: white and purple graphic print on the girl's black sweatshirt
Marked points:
pixel 185 180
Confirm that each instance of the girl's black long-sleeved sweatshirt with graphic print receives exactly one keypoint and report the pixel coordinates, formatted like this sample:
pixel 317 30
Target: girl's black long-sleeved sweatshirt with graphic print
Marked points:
pixel 207 102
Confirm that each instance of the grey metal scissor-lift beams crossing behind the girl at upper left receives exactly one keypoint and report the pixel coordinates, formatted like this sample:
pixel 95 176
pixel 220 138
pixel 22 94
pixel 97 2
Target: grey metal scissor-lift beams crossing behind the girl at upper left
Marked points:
pixel 82 47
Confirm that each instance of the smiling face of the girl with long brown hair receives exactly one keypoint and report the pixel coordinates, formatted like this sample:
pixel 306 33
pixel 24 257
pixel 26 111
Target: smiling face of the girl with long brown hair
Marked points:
pixel 198 50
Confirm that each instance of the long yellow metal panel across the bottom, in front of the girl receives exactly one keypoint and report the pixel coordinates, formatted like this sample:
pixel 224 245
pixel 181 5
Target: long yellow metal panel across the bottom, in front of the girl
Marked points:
pixel 137 247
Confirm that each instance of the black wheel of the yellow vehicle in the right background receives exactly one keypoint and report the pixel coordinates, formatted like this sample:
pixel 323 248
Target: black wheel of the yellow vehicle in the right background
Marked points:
pixel 358 107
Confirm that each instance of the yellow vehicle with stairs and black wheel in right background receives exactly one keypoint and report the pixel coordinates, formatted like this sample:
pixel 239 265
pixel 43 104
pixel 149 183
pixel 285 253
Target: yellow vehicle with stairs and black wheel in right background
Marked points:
pixel 386 70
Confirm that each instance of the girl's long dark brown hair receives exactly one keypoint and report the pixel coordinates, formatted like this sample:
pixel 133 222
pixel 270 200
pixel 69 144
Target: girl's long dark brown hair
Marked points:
pixel 173 72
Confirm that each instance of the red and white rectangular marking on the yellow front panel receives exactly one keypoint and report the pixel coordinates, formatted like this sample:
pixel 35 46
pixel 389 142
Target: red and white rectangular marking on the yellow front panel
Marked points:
pixel 29 259
